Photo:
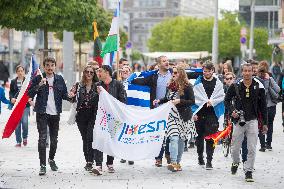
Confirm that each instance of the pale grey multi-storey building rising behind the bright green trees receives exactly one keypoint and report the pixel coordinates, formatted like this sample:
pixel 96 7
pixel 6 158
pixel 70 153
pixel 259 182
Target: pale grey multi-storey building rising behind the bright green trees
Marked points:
pixel 140 16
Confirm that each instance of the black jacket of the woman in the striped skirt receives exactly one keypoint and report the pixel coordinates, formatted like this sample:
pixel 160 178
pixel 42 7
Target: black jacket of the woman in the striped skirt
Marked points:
pixel 186 100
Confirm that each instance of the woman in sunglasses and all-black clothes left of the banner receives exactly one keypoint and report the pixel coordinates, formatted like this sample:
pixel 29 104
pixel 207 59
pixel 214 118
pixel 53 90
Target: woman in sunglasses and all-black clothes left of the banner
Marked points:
pixel 86 96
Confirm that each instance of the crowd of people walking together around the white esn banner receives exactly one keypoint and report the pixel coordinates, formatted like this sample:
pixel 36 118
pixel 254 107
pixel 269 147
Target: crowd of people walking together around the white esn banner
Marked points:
pixel 249 102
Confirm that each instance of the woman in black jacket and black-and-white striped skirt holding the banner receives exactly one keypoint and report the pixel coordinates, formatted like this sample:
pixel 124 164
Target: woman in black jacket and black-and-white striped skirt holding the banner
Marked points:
pixel 180 126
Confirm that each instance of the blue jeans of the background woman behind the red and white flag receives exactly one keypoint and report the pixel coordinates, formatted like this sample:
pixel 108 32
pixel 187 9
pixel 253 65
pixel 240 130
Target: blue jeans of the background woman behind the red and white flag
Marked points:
pixel 23 126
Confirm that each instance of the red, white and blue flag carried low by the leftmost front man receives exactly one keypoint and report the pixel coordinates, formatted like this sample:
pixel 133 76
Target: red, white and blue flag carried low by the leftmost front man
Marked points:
pixel 22 100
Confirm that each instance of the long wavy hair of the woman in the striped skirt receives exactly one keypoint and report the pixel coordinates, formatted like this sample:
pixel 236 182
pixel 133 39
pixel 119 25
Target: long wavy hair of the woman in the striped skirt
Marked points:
pixel 182 80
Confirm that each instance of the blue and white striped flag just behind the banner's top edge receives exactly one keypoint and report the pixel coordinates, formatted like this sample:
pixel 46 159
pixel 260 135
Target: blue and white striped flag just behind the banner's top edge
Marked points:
pixel 138 95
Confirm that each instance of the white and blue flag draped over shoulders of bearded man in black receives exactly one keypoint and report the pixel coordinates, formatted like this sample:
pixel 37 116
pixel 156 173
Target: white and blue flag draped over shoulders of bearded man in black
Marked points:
pixel 217 99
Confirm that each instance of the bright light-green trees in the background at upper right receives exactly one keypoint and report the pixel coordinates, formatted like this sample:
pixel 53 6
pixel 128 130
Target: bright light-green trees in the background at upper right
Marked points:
pixel 190 34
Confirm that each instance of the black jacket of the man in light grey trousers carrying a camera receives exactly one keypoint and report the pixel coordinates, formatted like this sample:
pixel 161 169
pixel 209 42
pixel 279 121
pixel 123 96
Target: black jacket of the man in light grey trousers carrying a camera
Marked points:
pixel 259 99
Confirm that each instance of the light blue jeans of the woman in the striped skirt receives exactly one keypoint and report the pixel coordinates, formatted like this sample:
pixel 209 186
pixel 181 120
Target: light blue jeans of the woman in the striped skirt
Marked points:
pixel 176 149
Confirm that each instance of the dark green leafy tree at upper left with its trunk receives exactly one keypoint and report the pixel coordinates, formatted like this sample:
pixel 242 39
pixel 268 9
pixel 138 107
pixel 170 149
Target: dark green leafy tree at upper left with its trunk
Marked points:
pixel 49 15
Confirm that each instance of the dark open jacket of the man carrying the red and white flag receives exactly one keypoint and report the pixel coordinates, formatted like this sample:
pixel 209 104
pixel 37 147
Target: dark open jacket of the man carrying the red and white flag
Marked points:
pixel 60 93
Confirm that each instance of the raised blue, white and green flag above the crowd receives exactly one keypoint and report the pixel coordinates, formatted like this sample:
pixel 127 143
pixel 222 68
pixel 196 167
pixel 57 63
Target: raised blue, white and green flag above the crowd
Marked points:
pixel 112 42
